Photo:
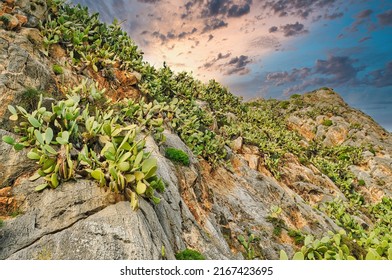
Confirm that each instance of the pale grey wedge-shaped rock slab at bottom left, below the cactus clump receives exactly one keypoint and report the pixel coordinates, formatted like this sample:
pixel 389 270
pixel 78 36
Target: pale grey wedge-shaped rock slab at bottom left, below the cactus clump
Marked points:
pixel 114 233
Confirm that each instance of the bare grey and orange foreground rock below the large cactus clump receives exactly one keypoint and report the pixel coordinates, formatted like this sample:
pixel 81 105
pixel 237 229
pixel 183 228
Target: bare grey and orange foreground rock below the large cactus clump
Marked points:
pixel 200 209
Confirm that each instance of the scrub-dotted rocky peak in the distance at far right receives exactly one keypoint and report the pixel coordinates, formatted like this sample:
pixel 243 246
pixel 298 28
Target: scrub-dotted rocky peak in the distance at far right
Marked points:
pixel 328 119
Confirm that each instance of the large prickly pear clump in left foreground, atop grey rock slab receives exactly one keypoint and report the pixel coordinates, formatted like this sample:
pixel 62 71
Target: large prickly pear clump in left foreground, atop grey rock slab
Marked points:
pixel 68 140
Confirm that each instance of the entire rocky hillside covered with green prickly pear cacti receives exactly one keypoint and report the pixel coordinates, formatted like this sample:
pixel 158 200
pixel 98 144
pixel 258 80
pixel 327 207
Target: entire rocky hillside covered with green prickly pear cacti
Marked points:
pixel 105 157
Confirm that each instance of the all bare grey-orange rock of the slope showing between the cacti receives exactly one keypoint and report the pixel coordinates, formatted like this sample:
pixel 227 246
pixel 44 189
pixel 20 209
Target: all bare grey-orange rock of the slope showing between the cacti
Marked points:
pixel 202 208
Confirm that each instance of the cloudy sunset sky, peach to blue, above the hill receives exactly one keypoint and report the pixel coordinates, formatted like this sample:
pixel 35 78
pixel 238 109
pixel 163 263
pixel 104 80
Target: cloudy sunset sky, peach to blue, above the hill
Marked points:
pixel 269 48
